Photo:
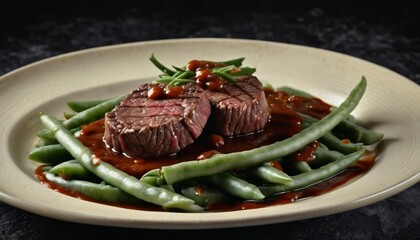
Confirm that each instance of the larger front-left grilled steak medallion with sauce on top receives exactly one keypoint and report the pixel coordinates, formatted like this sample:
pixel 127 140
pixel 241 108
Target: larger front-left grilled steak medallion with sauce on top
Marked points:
pixel 151 128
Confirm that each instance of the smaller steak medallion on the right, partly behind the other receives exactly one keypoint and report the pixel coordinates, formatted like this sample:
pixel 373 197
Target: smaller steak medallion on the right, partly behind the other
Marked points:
pixel 239 108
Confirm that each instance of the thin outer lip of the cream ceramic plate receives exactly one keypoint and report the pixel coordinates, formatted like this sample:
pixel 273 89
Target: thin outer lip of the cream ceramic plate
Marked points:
pixel 192 223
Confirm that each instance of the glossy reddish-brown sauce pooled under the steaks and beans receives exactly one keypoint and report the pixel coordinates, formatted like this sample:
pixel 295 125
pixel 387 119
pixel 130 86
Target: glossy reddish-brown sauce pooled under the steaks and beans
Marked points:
pixel 284 123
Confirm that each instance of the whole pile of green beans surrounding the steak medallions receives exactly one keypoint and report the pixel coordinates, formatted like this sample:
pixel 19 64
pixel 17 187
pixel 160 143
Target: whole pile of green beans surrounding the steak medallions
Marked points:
pixel 239 176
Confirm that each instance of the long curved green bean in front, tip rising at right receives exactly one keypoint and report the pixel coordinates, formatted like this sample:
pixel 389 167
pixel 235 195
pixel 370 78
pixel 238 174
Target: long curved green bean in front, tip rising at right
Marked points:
pixel 224 162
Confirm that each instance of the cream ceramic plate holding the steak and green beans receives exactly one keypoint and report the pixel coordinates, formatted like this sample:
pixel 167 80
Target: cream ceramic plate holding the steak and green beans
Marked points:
pixel 390 105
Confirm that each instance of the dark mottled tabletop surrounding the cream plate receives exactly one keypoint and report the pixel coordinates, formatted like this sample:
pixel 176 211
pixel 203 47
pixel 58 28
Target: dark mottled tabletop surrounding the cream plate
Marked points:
pixel 383 32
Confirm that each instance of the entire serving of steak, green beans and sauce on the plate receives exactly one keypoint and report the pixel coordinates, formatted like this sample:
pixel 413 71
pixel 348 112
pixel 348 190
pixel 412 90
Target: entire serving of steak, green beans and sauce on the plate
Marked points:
pixel 207 136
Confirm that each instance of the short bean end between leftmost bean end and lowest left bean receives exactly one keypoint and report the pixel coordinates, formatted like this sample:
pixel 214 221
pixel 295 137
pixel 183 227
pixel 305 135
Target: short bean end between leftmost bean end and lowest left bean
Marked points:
pixel 71 169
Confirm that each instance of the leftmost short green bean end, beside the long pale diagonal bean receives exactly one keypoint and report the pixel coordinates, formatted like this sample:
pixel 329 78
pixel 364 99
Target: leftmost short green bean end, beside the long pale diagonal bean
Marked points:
pixel 50 154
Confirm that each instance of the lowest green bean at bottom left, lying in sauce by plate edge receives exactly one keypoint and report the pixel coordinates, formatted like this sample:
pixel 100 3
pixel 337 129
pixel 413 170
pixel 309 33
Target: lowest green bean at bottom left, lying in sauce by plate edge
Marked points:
pixel 98 192
